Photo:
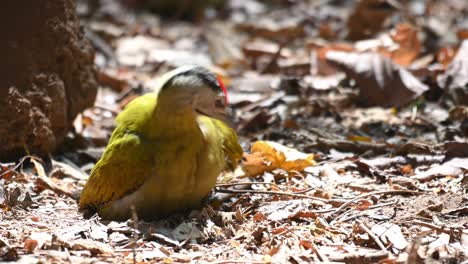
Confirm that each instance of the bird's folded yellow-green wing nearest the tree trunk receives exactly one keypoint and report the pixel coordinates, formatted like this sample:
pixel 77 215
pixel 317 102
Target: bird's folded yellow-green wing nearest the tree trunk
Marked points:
pixel 127 160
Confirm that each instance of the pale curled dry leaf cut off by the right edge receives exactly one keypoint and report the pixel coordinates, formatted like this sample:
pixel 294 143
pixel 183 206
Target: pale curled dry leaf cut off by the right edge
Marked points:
pixel 455 79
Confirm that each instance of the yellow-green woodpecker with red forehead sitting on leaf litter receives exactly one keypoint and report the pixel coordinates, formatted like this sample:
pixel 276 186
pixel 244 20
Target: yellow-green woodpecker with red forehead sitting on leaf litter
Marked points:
pixel 166 151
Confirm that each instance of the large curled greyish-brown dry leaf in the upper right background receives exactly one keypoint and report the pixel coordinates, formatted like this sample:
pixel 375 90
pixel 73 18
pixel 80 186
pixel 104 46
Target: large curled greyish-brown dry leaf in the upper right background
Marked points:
pixel 381 82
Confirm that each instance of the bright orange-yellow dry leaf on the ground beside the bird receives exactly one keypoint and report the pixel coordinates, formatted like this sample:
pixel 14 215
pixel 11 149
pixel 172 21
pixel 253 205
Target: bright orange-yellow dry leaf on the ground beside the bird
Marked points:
pixel 268 156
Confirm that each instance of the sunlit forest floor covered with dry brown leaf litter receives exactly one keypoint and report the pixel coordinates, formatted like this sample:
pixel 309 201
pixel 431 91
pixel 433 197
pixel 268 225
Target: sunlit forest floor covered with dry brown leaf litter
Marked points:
pixel 354 126
